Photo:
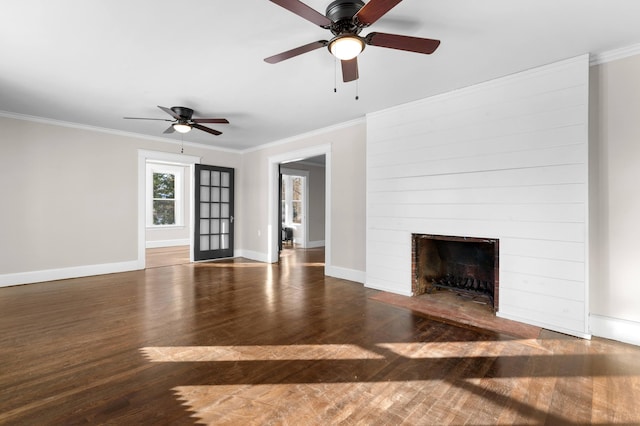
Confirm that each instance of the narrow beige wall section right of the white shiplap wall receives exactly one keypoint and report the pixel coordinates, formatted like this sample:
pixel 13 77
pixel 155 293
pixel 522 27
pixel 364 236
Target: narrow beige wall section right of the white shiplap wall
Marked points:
pixel 615 196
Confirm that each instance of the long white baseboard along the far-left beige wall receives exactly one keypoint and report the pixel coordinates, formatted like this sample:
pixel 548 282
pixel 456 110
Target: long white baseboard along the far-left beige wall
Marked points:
pixel 65 273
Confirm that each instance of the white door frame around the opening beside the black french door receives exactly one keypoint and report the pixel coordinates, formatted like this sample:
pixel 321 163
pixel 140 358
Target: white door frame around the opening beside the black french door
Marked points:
pixel 170 158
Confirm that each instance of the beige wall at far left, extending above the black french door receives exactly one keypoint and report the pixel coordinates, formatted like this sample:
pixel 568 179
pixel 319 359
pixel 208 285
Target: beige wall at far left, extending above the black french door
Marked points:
pixel 69 195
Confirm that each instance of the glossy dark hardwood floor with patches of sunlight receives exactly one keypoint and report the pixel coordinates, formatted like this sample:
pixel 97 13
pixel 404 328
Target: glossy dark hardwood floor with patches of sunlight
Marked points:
pixel 240 342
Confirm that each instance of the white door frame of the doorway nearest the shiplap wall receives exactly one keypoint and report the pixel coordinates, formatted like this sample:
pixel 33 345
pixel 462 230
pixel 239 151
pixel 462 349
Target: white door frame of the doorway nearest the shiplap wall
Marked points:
pixel 274 195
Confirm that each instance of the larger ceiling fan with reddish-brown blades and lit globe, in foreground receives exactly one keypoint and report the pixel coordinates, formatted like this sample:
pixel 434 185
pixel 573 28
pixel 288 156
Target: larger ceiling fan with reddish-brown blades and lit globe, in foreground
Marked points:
pixel 346 19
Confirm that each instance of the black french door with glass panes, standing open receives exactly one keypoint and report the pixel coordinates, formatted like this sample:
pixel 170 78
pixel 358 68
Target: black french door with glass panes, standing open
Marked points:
pixel 213 210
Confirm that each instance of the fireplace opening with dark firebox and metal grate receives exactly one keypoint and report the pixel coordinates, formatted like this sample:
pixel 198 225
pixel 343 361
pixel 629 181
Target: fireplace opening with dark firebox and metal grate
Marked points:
pixel 466 265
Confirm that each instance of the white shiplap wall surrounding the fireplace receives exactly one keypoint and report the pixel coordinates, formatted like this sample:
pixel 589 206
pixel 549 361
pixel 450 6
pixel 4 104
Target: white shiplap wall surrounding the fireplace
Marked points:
pixel 505 159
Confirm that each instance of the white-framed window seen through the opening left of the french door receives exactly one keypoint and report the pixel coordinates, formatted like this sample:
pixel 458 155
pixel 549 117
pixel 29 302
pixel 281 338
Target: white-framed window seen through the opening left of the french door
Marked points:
pixel 164 195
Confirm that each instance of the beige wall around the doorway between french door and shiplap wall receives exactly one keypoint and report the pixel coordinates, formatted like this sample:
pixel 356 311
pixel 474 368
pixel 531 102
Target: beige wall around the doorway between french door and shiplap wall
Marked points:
pixel 347 217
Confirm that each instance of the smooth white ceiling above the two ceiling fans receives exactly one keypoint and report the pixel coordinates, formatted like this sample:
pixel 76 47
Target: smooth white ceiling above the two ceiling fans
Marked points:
pixel 94 62
